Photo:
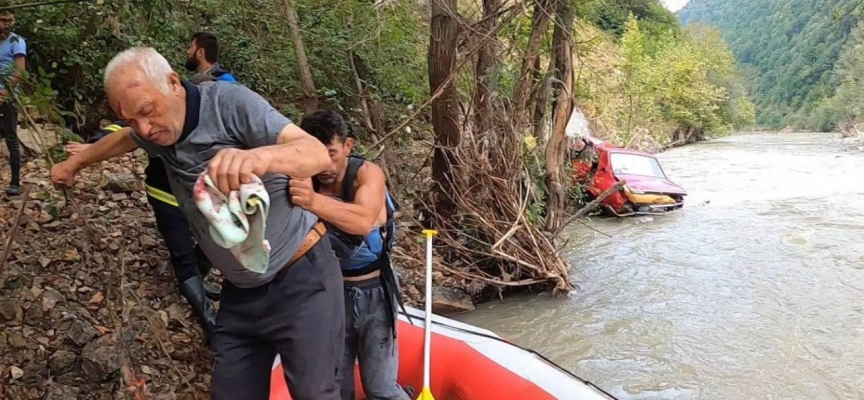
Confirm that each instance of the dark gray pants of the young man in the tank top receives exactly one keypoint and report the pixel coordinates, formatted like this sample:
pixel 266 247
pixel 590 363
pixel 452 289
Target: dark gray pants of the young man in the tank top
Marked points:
pixel 369 339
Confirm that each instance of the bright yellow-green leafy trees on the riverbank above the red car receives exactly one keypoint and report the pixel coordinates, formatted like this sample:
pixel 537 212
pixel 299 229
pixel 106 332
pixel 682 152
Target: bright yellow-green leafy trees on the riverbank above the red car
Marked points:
pixel 690 80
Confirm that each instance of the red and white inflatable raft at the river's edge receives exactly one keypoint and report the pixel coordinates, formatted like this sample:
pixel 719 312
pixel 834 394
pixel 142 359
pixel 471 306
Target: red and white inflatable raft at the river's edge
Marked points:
pixel 469 363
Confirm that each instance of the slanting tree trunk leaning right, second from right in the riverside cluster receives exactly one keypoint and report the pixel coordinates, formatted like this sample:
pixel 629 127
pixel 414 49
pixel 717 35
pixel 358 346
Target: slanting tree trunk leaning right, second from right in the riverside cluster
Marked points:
pixel 539 27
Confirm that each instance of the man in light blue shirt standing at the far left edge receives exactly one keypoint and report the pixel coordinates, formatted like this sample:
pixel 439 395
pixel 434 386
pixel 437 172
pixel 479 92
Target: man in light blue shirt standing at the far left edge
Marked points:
pixel 13 53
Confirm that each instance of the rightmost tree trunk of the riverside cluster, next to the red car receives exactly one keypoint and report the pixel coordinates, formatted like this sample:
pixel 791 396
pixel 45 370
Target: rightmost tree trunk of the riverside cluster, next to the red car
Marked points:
pixel 556 148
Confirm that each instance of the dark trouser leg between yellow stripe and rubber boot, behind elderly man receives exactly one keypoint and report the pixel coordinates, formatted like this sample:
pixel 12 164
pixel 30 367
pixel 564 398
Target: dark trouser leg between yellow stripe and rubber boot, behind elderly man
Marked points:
pixel 174 228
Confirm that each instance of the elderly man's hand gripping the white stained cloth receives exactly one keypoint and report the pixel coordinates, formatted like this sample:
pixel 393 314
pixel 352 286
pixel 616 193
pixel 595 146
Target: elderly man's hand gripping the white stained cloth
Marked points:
pixel 232 167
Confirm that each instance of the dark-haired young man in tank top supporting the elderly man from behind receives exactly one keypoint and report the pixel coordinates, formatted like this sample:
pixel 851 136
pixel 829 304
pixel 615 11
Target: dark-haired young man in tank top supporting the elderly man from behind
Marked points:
pixel 351 196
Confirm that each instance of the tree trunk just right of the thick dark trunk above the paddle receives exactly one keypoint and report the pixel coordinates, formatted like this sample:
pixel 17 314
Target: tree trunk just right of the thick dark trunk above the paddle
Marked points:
pixel 484 69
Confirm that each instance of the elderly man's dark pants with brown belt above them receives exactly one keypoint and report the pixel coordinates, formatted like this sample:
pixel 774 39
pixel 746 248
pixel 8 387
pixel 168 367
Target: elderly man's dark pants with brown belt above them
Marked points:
pixel 298 315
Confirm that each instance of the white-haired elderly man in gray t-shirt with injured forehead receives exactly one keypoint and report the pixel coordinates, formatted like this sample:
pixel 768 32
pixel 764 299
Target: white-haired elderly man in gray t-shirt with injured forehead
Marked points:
pixel 295 308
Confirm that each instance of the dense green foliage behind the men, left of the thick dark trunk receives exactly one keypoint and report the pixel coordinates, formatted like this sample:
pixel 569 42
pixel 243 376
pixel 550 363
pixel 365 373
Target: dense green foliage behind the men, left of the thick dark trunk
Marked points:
pixel 75 41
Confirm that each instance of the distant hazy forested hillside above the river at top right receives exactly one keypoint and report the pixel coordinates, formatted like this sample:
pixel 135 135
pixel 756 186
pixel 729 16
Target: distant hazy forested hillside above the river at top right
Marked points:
pixel 788 48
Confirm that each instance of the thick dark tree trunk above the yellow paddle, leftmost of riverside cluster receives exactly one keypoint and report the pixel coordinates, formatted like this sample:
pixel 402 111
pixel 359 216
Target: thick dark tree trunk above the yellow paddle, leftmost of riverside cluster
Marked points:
pixel 444 31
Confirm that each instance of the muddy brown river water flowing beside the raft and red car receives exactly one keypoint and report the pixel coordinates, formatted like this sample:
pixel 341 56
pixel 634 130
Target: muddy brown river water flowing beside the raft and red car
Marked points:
pixel 758 294
